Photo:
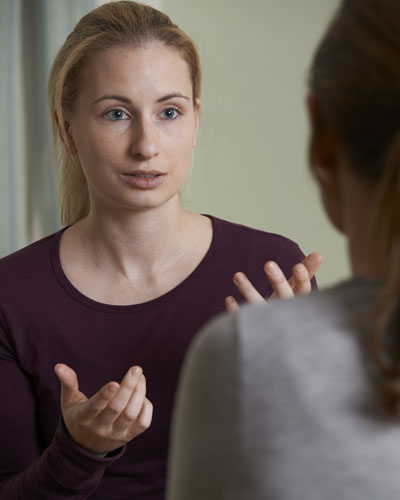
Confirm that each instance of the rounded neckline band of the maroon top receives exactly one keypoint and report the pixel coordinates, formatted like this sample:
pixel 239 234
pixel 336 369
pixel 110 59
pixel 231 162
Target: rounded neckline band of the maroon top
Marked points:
pixel 130 308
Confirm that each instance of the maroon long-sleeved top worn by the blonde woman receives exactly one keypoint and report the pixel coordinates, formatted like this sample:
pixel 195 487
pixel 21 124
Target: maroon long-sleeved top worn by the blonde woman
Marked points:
pixel 45 320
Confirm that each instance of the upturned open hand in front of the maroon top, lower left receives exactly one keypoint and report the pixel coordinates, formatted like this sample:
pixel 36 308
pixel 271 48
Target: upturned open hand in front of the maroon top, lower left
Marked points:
pixel 113 416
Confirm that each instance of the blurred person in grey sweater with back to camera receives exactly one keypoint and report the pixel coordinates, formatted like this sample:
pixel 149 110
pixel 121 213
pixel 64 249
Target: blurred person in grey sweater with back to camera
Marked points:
pixel 300 399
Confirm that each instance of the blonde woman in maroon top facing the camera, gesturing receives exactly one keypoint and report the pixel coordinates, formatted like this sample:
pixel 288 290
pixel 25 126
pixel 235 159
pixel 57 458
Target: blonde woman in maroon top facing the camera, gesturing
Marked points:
pixel 121 290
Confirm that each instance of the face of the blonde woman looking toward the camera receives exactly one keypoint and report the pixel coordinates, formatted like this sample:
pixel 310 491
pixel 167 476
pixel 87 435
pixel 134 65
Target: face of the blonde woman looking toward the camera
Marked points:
pixel 134 126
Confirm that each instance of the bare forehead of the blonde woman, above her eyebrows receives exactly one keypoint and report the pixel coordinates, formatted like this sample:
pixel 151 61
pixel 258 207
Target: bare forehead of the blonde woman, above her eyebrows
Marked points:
pixel 151 70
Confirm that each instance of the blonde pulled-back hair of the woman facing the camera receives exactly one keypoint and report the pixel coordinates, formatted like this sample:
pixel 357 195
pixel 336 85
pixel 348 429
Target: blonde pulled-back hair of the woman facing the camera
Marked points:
pixel 110 25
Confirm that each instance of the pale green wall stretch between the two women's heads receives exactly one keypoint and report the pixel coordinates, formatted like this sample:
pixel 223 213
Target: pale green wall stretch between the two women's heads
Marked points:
pixel 250 165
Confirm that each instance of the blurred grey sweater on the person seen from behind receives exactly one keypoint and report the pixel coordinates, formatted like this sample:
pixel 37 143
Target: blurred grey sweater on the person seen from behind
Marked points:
pixel 277 403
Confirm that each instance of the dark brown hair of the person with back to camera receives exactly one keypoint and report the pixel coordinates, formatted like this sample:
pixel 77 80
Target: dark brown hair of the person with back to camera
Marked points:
pixel 355 80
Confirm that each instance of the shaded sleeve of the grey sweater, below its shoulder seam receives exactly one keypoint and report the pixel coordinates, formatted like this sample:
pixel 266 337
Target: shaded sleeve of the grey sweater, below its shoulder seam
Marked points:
pixel 203 458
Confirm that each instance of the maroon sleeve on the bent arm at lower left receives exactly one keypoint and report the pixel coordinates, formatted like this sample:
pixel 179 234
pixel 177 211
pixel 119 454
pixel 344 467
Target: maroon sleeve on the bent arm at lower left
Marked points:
pixel 63 470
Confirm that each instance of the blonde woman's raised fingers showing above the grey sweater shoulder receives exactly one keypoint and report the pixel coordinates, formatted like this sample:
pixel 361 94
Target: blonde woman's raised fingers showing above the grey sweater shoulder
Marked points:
pixel 298 284
